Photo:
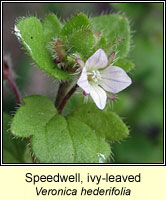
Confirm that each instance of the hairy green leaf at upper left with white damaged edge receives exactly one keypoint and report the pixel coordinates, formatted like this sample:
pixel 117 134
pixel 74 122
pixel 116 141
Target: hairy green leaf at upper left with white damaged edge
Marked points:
pixel 35 40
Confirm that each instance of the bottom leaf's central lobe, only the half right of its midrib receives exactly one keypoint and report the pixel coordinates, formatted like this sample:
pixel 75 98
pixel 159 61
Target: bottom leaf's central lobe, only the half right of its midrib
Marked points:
pixel 87 146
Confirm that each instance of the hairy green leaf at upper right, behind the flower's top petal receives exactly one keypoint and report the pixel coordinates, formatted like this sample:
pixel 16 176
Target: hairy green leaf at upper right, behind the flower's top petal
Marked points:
pixel 116 29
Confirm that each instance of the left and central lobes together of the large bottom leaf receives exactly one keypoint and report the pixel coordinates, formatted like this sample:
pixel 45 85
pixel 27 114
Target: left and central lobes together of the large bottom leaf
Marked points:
pixel 55 139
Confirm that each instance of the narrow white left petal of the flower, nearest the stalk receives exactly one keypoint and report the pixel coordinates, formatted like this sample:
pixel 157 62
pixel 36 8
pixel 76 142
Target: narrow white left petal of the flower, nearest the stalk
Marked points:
pixel 83 81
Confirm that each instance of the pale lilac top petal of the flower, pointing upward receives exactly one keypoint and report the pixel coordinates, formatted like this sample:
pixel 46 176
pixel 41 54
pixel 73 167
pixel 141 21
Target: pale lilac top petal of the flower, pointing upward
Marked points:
pixel 97 61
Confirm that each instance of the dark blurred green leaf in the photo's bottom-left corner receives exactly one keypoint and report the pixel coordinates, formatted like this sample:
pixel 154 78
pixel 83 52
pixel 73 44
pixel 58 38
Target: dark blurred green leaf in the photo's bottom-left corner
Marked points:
pixel 13 148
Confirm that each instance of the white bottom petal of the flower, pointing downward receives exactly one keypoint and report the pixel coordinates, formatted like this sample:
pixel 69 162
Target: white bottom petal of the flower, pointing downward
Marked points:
pixel 99 96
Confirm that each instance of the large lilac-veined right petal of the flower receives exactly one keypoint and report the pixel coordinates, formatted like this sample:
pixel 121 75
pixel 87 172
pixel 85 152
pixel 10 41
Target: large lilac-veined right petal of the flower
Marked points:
pixel 114 79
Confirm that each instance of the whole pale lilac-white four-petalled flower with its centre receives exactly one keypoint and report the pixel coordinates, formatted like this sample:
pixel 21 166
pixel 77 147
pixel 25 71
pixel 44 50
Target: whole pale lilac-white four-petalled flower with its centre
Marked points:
pixel 97 78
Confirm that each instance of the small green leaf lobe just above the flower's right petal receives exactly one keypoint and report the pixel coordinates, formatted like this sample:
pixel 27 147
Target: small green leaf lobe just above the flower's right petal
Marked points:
pixel 125 64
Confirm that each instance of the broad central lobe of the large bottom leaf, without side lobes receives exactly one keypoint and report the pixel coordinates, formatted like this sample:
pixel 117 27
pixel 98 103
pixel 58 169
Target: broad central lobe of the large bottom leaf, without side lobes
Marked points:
pixel 68 141
